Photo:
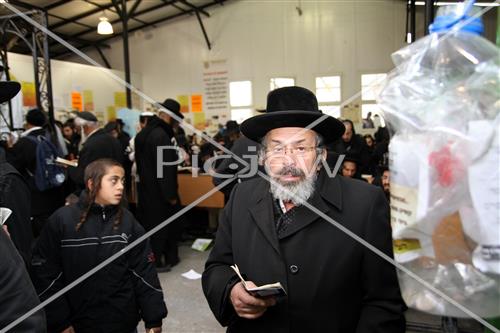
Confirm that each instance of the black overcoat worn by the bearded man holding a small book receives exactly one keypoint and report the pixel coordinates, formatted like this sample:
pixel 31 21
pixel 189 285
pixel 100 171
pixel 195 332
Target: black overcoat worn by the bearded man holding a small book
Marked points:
pixel 334 283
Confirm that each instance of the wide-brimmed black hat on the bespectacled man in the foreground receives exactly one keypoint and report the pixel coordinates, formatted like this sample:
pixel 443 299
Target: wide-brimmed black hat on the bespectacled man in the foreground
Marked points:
pixel 292 107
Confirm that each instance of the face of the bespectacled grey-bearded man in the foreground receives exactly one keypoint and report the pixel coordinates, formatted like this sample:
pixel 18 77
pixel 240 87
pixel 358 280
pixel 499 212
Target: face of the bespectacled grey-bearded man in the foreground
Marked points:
pixel 290 154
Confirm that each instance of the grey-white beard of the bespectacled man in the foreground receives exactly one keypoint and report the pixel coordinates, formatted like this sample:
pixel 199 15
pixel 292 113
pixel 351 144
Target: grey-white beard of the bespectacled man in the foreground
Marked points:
pixel 296 192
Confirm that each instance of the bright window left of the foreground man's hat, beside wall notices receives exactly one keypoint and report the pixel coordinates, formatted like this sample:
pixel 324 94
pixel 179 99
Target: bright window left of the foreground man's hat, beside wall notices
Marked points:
pixel 240 99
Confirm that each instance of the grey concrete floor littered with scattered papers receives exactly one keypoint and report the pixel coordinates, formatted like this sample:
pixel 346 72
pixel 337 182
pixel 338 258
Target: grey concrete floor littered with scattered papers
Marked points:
pixel 189 311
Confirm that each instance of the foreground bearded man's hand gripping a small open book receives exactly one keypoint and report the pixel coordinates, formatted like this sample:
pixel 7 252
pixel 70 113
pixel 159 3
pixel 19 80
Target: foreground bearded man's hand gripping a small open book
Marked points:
pixel 247 306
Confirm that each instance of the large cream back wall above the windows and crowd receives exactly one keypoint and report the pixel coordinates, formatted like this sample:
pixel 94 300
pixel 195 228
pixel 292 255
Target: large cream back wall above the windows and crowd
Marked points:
pixel 263 39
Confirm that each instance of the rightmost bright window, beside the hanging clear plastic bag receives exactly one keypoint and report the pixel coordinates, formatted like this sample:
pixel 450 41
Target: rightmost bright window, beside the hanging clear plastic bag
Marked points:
pixel 370 88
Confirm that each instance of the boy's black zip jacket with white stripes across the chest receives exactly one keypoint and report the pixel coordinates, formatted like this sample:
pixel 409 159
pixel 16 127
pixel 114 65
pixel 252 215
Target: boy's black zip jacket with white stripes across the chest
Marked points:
pixel 117 296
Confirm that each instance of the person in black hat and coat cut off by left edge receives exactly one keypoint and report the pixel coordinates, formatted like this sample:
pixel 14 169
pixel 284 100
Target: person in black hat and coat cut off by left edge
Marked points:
pixel 17 294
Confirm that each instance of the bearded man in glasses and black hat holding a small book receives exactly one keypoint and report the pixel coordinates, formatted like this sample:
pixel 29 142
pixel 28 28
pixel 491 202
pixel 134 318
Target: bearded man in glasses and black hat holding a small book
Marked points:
pixel 273 233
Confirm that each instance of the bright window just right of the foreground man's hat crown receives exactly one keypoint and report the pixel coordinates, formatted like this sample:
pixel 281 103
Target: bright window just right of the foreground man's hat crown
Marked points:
pixel 328 93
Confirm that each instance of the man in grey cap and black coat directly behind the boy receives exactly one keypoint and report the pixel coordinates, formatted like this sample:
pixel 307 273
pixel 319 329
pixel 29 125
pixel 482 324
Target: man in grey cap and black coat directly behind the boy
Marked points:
pixel 96 144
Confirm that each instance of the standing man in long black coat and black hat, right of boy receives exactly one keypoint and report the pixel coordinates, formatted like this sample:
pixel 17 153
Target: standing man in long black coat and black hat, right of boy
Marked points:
pixel 158 197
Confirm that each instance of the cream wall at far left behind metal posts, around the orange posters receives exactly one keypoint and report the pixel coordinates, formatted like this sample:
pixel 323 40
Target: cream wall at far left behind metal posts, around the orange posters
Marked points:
pixel 70 76
